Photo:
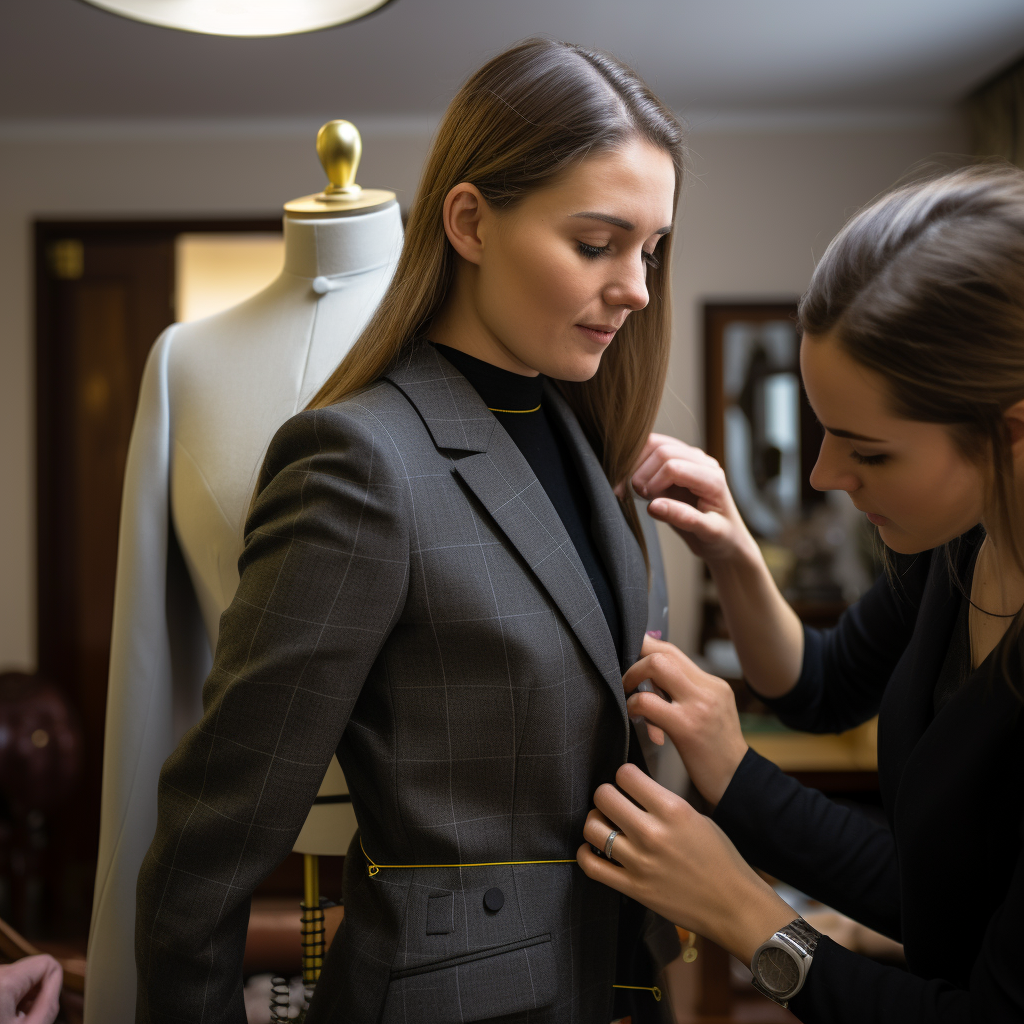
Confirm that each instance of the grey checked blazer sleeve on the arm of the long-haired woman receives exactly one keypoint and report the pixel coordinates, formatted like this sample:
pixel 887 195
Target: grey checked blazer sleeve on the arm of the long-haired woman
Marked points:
pixel 324 577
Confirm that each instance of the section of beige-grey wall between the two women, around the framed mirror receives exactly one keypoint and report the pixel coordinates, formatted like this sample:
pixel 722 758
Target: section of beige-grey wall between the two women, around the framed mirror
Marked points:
pixel 765 198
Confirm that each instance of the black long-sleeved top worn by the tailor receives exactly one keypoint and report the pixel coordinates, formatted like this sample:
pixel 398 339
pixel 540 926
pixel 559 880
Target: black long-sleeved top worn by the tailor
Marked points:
pixel 946 875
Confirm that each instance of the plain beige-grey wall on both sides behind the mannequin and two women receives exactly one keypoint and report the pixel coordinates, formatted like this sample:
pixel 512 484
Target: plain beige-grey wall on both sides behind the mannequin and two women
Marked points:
pixel 765 198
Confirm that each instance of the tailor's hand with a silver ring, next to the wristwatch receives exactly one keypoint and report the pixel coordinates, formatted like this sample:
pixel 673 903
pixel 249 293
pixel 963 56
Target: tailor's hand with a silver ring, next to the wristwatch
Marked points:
pixel 680 865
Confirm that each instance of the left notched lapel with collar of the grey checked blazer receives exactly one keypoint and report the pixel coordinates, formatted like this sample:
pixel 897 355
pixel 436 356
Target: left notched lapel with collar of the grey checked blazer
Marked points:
pixel 499 476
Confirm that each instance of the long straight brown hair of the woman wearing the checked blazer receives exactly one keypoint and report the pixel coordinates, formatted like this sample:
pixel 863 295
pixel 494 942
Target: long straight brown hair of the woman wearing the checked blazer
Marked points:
pixel 526 117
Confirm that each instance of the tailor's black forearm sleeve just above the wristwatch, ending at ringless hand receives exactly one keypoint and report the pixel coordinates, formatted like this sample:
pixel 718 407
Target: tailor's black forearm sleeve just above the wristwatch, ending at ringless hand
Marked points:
pixel 834 854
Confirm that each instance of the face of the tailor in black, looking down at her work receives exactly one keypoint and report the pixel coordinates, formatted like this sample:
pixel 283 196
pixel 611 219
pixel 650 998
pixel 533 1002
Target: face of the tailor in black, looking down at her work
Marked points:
pixel 910 478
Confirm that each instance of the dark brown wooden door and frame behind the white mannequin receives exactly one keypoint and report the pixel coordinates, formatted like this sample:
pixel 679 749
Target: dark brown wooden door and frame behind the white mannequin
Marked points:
pixel 105 291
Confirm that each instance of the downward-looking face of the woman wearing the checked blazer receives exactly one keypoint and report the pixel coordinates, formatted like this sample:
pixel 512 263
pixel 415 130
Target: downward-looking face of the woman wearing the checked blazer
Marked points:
pixel 556 277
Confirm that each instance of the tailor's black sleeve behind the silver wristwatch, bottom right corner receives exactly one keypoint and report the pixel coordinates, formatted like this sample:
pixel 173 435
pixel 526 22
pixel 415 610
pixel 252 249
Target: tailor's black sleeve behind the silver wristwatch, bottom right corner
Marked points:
pixel 843 988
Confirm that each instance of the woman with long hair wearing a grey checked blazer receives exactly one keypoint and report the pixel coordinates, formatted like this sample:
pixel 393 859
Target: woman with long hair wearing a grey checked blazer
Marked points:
pixel 442 584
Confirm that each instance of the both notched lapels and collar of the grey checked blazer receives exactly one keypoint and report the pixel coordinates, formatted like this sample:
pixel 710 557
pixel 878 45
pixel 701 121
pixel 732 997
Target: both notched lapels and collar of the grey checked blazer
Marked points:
pixel 499 476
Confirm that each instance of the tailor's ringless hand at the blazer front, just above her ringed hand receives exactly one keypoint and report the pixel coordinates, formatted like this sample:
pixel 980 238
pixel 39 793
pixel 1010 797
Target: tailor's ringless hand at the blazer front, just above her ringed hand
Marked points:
pixel 700 717
